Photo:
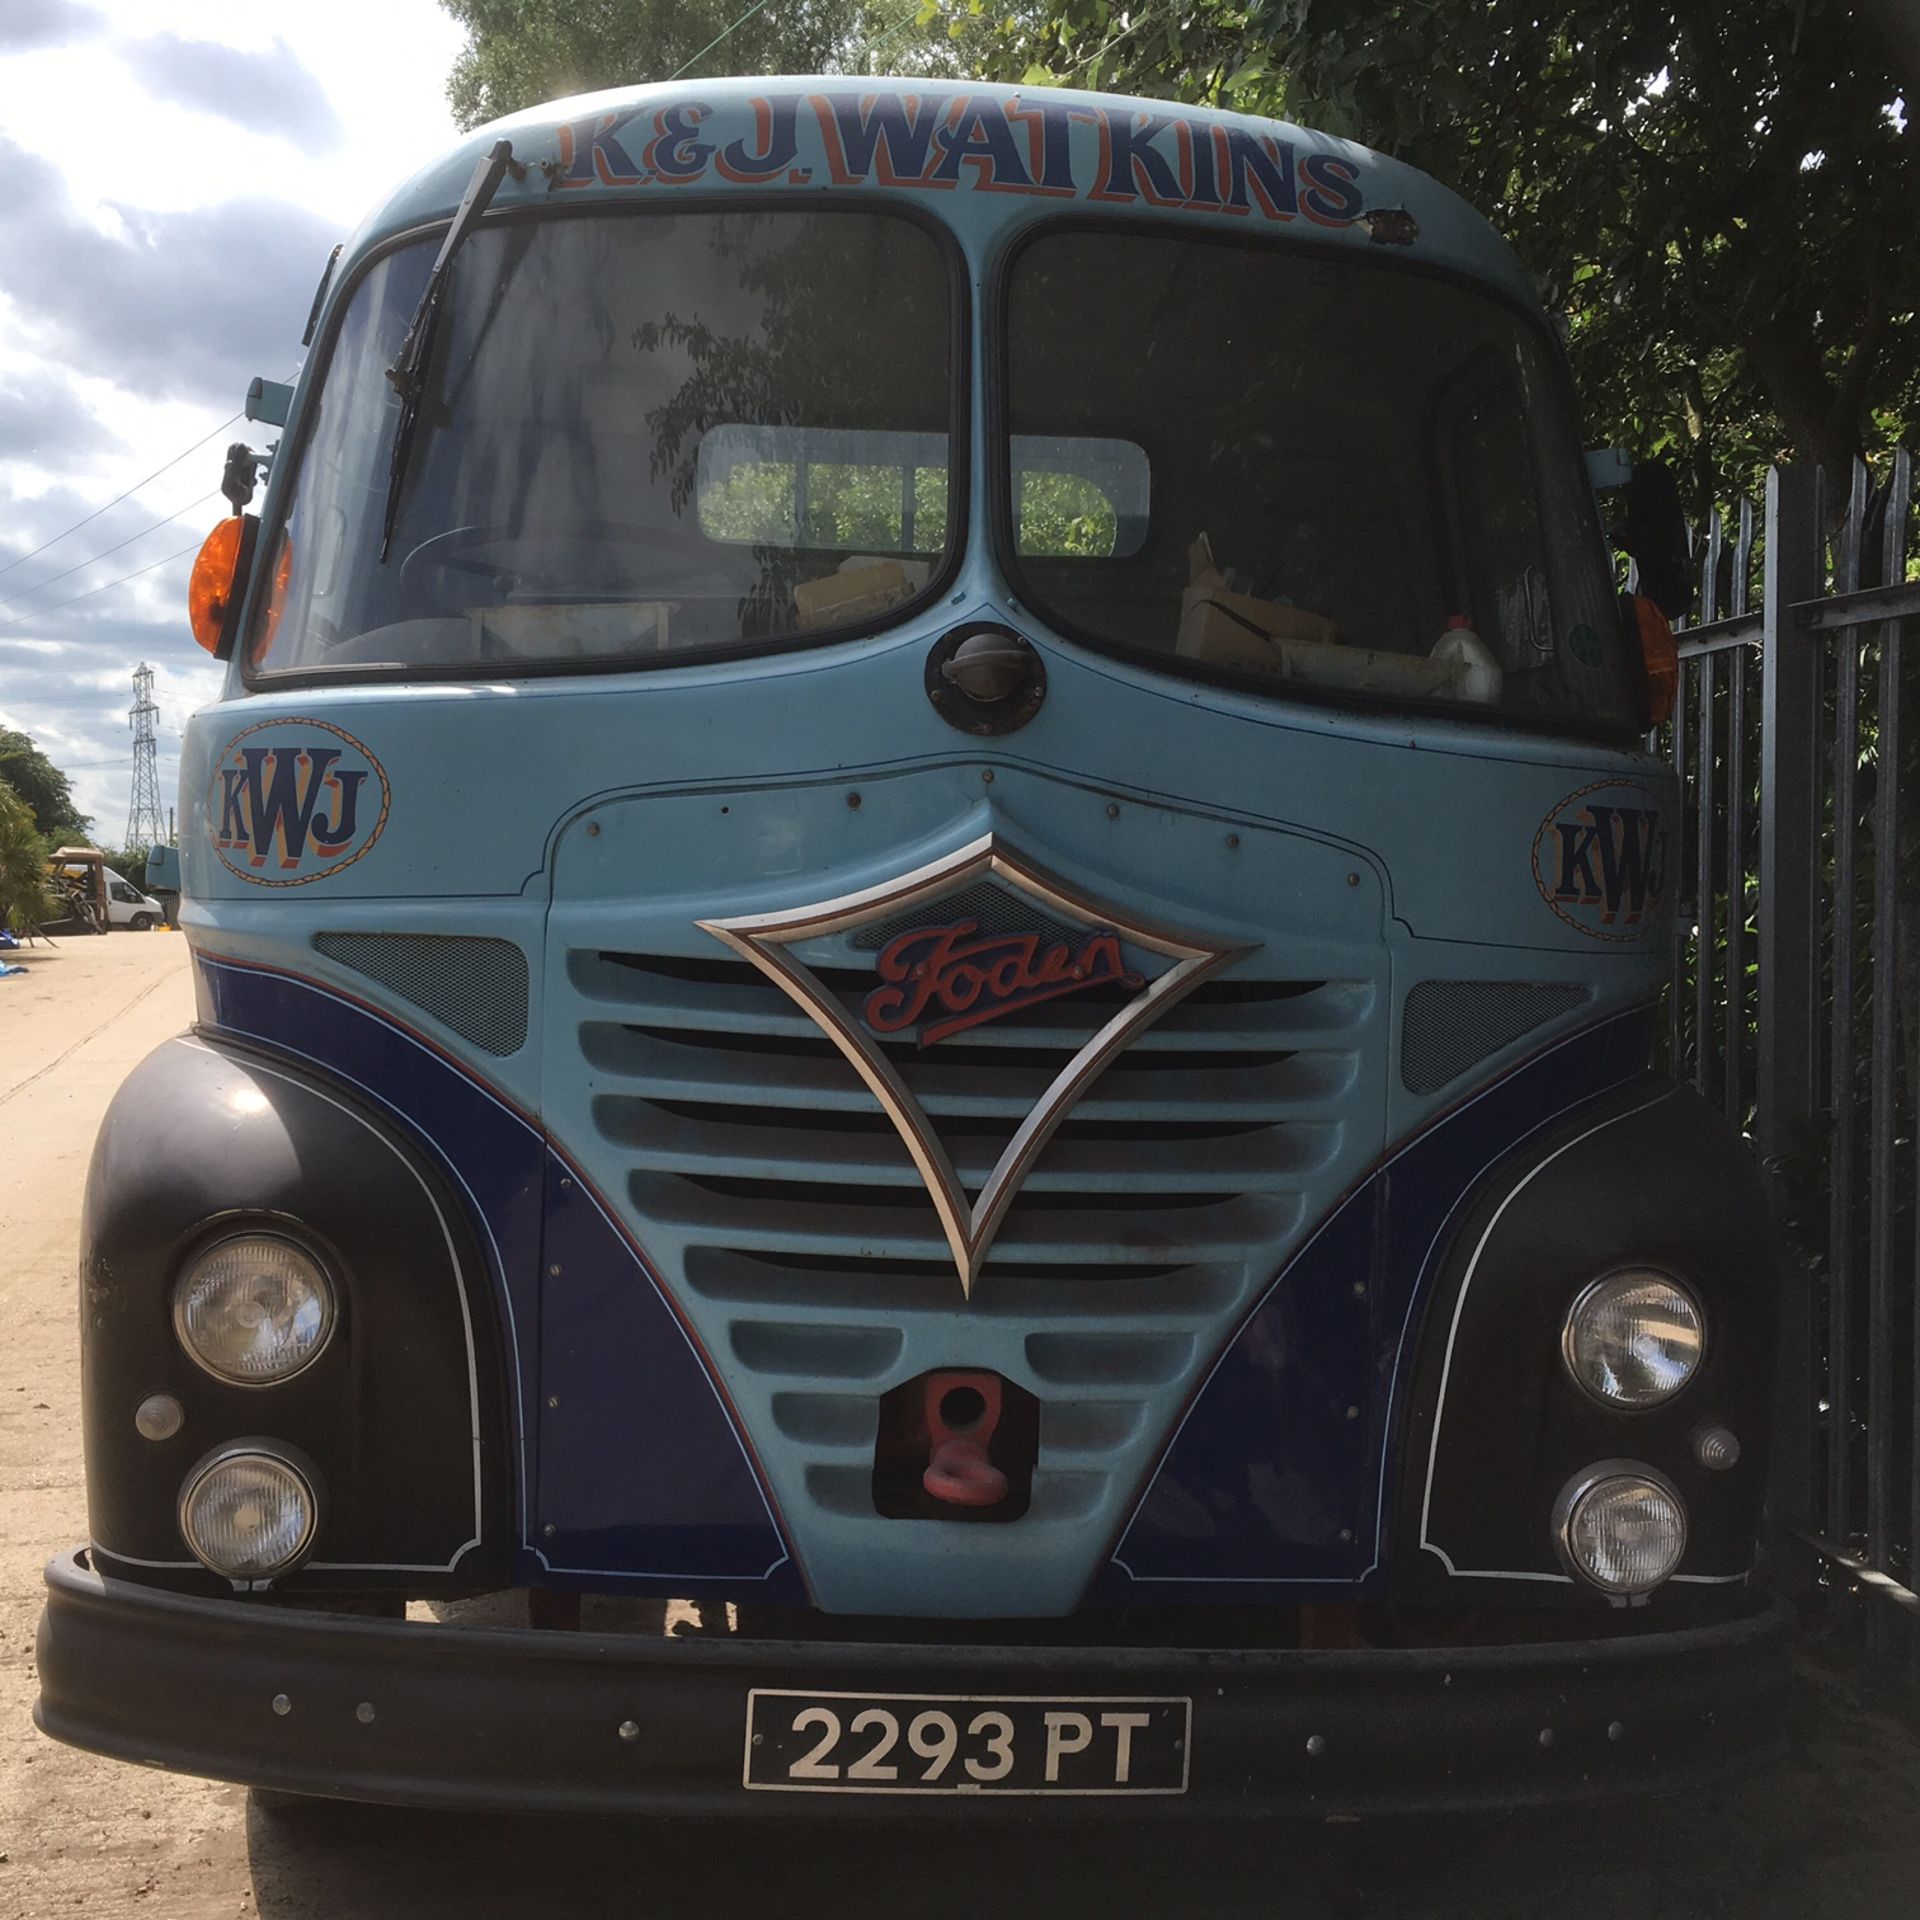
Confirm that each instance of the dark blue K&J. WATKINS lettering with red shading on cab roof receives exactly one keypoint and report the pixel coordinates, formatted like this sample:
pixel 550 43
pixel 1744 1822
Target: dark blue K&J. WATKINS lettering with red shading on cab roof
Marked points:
pixel 1013 147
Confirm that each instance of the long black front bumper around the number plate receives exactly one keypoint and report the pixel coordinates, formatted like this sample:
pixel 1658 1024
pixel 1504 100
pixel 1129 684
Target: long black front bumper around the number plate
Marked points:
pixel 502 1719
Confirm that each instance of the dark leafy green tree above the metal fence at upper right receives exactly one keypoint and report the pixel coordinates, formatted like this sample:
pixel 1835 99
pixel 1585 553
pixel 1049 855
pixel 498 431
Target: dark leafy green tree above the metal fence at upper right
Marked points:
pixel 1717 197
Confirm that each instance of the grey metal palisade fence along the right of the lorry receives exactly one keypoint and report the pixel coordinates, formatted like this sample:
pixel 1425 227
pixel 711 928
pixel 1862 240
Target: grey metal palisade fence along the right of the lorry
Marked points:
pixel 1796 972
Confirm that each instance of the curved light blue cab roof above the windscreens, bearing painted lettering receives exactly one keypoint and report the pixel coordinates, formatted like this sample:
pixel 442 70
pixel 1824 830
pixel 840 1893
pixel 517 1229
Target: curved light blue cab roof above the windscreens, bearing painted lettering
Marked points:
pixel 984 158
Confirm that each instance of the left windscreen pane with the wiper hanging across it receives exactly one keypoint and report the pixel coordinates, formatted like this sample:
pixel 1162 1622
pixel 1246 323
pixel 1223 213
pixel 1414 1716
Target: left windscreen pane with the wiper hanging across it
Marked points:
pixel 550 510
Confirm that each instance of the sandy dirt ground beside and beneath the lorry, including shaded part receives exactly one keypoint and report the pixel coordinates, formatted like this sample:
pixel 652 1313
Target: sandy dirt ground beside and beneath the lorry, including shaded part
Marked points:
pixel 1835 1831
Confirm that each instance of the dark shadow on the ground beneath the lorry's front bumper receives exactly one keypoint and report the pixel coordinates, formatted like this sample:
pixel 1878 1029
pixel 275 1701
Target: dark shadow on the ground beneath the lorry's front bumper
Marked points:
pixel 1829 1829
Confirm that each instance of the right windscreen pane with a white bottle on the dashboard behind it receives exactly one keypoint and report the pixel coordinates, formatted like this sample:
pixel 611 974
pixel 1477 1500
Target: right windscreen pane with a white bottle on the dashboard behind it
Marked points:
pixel 1364 483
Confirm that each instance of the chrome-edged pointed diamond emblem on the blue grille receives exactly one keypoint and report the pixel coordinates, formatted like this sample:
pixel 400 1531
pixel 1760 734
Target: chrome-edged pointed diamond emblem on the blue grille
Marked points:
pixel 944 971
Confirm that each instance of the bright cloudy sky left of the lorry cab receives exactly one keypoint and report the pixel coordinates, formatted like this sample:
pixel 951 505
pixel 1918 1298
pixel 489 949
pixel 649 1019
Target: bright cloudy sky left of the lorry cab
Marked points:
pixel 174 176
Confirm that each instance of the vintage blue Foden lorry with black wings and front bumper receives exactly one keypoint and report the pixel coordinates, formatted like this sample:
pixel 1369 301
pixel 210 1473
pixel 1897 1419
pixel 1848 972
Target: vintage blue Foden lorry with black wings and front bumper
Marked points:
pixel 928 909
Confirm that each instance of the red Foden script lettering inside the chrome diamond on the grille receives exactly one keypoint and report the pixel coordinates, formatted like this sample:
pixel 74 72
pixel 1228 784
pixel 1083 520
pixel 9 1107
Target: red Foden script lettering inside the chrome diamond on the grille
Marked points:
pixel 969 982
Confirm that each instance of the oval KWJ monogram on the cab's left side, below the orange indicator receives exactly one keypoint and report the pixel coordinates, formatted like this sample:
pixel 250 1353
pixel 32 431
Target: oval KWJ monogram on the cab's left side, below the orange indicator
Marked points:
pixel 293 802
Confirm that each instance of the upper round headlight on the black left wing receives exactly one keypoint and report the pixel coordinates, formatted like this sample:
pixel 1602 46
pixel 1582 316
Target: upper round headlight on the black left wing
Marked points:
pixel 254 1308
